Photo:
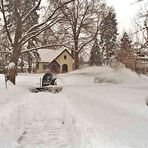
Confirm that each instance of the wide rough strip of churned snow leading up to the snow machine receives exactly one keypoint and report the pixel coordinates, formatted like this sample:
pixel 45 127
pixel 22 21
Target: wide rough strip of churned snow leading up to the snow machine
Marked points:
pixel 47 122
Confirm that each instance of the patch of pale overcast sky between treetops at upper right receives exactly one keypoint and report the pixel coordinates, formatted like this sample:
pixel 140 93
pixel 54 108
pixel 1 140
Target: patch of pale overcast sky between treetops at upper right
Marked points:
pixel 126 11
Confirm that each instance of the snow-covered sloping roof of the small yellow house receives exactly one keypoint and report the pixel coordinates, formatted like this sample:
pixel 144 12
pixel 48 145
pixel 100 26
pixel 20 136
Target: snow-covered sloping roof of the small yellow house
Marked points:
pixel 48 55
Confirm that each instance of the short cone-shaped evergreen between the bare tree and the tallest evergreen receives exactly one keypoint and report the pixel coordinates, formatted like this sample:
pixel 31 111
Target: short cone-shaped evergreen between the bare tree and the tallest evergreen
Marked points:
pixel 95 58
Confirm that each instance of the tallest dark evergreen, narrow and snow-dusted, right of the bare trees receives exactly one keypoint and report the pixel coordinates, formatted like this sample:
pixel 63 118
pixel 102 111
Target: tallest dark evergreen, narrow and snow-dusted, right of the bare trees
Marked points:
pixel 108 35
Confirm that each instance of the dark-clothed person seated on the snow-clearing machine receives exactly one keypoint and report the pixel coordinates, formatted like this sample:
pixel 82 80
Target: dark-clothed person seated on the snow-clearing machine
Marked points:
pixel 48 78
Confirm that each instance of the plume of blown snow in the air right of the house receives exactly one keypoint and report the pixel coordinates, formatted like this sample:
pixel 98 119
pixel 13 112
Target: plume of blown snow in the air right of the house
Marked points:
pixel 105 74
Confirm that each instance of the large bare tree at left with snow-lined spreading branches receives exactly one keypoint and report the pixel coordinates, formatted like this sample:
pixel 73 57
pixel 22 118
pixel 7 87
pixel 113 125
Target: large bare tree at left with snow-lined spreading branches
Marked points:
pixel 17 36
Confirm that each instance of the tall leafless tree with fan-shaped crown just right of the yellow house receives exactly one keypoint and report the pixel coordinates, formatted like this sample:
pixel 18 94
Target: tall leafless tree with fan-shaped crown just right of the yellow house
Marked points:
pixel 79 25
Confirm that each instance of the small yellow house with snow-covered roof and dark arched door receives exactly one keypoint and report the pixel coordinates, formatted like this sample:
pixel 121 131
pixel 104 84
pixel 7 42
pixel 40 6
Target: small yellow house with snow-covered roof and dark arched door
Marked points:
pixel 59 61
